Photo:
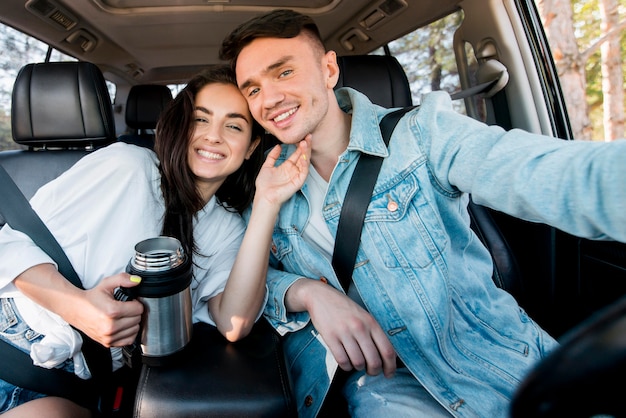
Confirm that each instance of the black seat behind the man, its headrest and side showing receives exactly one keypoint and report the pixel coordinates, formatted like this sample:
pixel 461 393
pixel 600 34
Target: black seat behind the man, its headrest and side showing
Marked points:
pixel 384 81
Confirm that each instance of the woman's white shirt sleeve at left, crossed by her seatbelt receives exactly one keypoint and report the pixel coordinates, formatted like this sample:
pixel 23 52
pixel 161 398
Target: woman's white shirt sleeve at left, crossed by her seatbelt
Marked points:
pixel 91 209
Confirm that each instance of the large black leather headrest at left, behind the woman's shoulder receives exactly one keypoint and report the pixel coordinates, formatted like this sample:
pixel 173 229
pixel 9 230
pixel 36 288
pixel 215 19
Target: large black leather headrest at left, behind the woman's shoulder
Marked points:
pixel 61 104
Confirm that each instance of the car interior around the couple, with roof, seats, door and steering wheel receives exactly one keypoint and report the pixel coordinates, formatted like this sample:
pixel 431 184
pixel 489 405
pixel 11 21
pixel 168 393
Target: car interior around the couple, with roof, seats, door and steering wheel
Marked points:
pixel 60 111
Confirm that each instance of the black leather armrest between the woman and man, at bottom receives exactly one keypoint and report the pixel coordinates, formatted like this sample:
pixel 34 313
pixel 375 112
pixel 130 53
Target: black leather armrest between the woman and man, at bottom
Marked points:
pixel 214 378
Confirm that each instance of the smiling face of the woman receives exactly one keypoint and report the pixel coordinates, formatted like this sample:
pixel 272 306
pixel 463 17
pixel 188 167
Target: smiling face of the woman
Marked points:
pixel 221 139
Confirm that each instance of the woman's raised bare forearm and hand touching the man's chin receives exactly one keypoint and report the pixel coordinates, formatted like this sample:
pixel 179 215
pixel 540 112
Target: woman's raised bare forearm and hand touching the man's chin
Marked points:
pixel 235 310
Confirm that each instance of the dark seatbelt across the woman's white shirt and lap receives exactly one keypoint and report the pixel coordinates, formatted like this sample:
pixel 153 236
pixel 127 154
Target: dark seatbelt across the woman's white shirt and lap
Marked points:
pixel 20 369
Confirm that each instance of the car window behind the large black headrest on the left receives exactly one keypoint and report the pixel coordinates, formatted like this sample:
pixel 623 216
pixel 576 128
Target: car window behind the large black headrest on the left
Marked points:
pixel 19 49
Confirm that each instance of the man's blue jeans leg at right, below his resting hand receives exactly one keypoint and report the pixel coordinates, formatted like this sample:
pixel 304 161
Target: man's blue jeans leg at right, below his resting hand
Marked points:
pixel 398 397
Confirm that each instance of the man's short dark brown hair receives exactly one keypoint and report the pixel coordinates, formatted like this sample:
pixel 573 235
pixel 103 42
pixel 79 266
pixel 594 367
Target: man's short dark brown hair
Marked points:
pixel 282 23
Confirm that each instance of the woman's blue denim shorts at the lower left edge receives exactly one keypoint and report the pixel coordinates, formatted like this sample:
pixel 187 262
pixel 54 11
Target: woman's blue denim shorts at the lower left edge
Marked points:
pixel 14 330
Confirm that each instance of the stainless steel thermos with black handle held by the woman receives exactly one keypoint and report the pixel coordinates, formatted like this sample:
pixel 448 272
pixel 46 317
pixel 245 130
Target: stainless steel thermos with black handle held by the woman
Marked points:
pixel 166 295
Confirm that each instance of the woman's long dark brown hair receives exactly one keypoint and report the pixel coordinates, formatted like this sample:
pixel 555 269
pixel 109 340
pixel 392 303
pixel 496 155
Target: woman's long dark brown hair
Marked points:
pixel 173 134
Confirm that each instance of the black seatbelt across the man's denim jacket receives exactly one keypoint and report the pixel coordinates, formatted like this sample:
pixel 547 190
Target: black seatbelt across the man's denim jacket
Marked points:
pixel 356 201
